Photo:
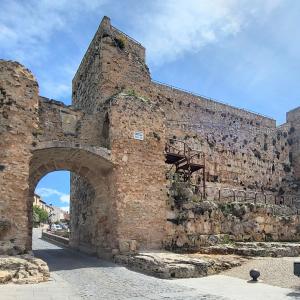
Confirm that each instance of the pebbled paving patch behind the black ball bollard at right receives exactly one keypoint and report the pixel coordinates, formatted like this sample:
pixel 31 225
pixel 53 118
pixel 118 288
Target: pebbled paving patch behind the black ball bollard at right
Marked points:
pixel 274 271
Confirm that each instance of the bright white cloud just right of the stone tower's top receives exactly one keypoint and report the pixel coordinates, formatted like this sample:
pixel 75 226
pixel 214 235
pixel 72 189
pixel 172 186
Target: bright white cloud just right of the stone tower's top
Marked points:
pixel 174 28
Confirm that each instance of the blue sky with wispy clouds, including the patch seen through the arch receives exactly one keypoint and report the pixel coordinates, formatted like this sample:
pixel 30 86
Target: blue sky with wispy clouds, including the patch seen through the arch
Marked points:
pixel 245 53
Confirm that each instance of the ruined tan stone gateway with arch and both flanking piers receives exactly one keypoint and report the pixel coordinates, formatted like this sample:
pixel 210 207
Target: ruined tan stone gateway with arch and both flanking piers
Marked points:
pixel 117 172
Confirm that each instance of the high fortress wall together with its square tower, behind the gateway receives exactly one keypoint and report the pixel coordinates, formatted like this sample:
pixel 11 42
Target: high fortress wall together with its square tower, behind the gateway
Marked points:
pixel 243 149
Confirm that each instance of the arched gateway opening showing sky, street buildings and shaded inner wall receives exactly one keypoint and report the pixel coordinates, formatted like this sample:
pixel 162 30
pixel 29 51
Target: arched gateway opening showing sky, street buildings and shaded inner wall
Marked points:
pixel 63 213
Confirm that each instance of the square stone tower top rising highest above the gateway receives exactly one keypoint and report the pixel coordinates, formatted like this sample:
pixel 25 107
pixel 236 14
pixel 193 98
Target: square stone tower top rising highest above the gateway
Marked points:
pixel 113 62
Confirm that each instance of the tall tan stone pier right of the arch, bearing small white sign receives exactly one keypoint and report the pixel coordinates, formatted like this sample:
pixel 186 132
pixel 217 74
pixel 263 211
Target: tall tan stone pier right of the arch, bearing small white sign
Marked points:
pixel 139 175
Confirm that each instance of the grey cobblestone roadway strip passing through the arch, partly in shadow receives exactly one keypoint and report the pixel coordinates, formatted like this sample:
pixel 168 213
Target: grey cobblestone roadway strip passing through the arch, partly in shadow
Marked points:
pixel 92 278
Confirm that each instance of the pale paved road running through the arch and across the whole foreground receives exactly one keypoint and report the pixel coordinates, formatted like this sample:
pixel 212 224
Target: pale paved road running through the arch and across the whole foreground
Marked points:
pixel 78 276
